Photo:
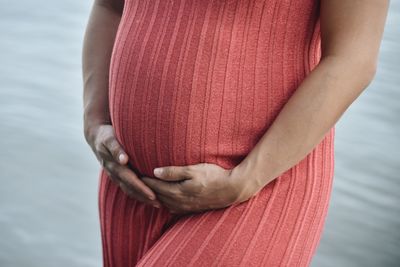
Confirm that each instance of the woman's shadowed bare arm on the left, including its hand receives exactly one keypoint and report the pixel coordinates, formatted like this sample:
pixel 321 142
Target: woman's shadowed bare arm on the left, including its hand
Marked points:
pixel 96 54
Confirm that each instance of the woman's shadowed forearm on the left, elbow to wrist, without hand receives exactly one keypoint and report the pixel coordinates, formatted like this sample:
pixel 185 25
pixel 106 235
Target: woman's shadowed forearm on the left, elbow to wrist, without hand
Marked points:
pixel 97 48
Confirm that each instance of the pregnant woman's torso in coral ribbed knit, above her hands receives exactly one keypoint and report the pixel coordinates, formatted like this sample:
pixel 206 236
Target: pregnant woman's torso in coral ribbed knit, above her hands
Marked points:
pixel 201 81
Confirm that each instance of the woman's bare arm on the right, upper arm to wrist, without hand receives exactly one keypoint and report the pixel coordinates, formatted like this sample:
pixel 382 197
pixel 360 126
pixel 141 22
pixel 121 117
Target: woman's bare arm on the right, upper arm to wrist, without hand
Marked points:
pixel 351 33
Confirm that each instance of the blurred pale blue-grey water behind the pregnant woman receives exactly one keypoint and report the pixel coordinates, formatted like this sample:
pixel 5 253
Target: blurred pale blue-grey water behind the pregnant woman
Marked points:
pixel 48 189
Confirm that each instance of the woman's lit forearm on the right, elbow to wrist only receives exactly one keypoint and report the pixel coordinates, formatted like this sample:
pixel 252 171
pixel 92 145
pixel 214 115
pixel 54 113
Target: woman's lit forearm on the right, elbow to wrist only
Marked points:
pixel 302 123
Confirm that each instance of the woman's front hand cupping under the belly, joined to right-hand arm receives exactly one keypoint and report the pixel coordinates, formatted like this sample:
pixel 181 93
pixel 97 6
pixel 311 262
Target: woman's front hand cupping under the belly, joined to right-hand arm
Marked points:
pixel 195 188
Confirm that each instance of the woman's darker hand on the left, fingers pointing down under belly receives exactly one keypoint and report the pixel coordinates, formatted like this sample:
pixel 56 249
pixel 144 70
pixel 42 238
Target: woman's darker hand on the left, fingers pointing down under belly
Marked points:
pixel 114 159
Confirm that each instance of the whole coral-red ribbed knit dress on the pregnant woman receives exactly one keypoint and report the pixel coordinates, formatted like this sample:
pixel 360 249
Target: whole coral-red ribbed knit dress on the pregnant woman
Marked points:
pixel 201 81
